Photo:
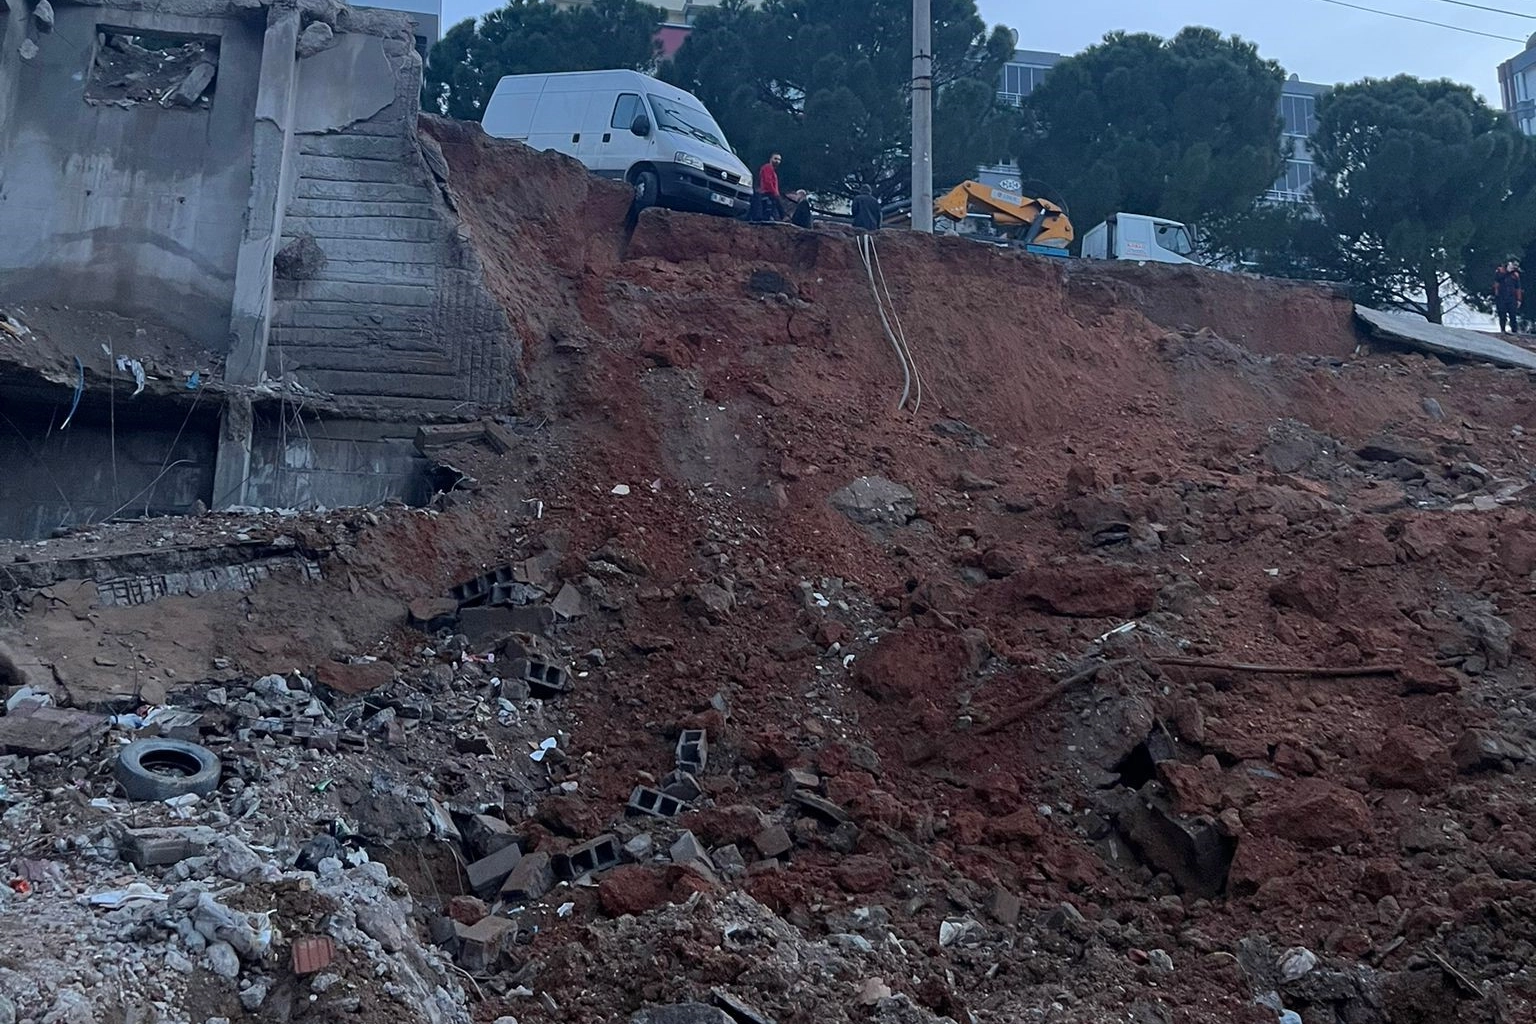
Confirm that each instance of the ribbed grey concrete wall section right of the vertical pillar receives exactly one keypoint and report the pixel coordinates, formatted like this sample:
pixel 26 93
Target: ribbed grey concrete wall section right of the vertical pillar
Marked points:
pixel 388 302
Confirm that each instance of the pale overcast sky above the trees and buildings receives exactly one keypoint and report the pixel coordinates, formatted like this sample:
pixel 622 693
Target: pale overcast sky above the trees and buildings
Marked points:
pixel 1317 41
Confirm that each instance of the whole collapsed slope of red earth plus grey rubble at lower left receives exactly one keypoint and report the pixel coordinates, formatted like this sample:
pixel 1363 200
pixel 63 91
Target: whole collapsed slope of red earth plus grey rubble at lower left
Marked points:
pixel 1144 675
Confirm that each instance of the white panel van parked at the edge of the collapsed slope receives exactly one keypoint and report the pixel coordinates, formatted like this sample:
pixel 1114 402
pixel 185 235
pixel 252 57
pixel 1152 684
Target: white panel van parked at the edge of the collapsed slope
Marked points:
pixel 629 127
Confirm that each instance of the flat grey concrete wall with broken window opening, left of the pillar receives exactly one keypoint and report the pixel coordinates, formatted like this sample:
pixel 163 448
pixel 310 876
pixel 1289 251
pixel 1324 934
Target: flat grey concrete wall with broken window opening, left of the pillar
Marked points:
pixel 131 205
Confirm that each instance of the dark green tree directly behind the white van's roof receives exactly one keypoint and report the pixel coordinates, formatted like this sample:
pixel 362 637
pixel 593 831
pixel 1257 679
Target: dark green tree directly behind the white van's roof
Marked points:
pixel 531 38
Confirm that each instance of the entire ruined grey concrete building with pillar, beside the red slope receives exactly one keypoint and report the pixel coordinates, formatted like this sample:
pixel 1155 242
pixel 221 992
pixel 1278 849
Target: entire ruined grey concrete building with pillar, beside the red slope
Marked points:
pixel 233 276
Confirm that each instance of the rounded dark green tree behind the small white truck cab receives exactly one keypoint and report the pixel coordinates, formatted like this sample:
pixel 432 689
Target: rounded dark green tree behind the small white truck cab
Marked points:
pixel 1185 128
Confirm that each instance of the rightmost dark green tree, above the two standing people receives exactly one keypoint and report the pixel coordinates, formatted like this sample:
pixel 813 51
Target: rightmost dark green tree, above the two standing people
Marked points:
pixel 1425 188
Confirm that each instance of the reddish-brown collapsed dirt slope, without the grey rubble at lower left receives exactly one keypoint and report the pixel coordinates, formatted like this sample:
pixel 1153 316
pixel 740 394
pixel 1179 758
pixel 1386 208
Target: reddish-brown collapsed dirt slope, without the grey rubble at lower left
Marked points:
pixel 1039 767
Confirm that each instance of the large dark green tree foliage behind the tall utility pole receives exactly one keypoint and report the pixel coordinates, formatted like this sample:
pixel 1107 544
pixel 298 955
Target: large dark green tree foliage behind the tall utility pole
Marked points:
pixel 826 84
